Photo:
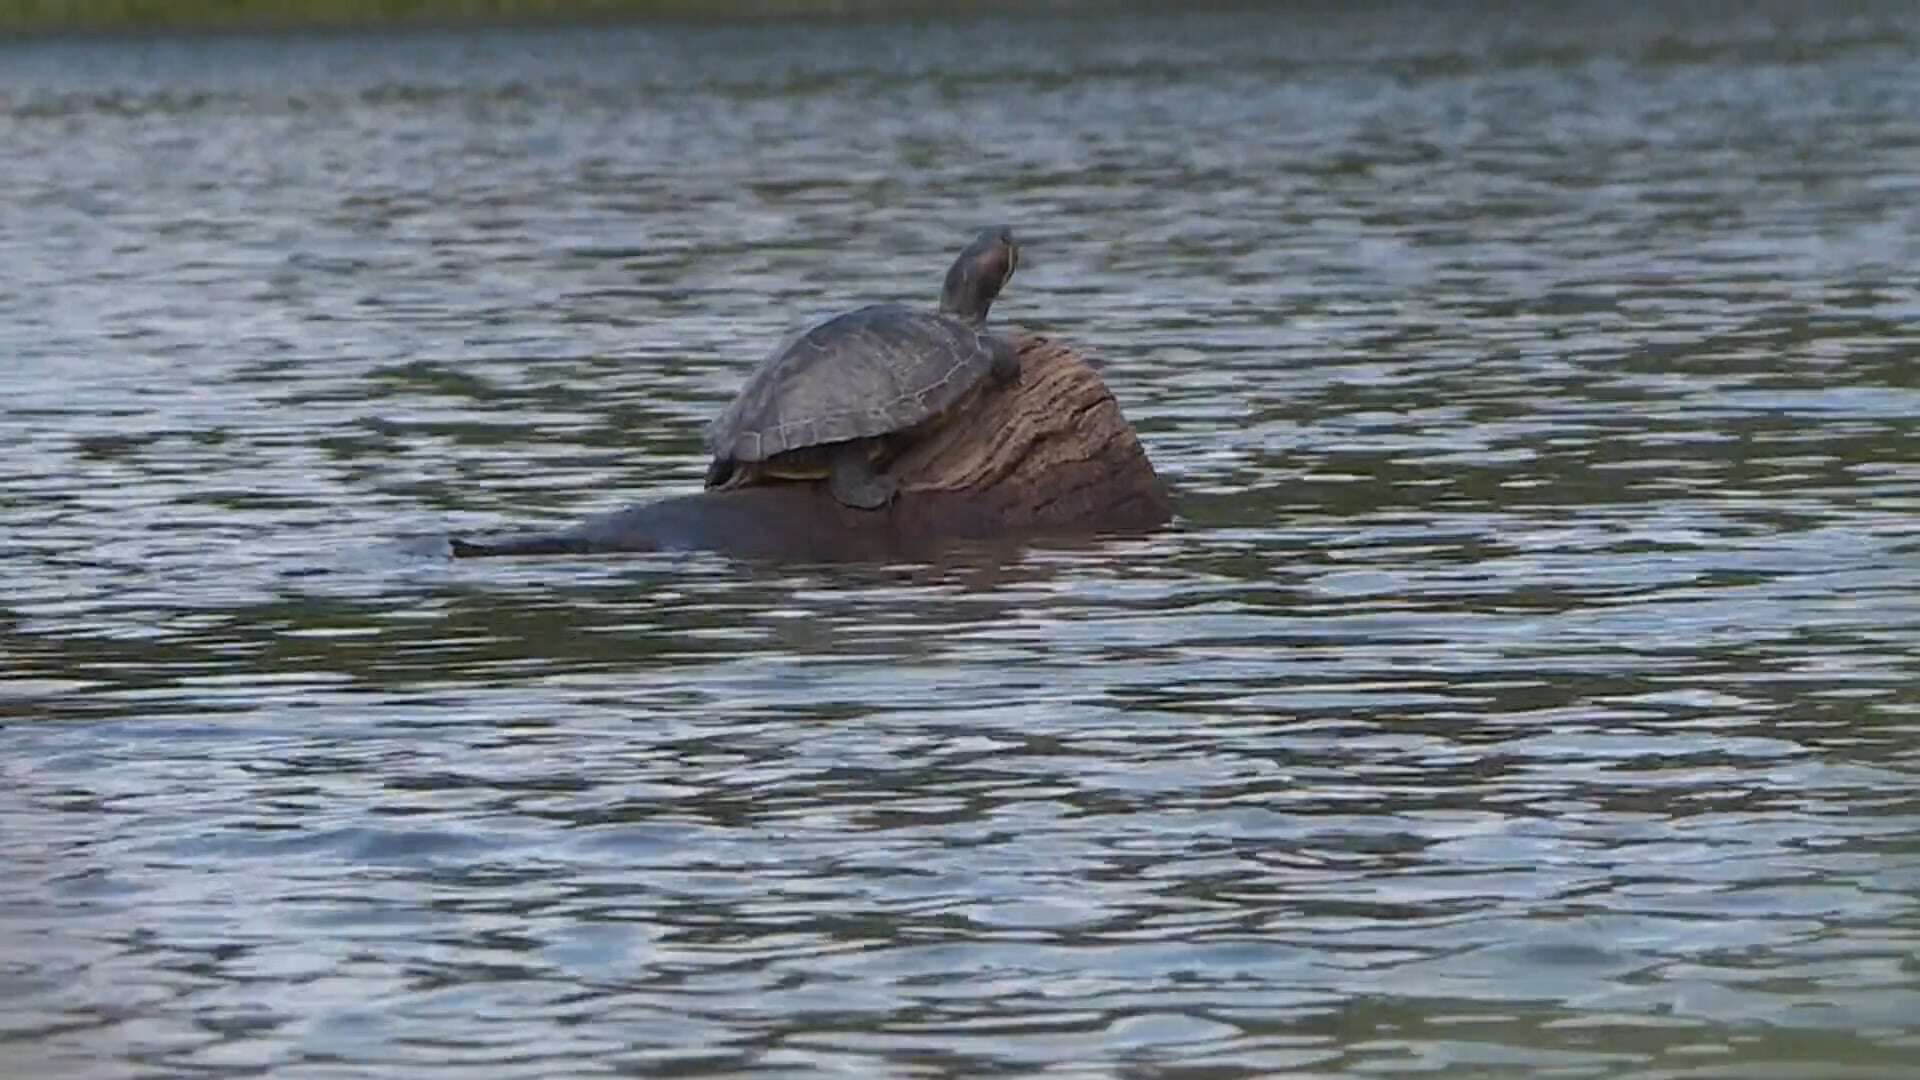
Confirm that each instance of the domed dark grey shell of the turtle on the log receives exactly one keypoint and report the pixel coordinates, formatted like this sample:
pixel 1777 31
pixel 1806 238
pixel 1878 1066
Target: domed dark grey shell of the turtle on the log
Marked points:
pixel 859 376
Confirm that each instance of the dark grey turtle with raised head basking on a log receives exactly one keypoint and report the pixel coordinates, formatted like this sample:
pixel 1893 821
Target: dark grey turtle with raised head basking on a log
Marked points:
pixel 838 397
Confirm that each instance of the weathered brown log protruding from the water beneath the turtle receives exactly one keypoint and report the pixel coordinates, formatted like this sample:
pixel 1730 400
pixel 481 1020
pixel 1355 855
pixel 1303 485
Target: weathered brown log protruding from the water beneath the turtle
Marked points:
pixel 1045 456
